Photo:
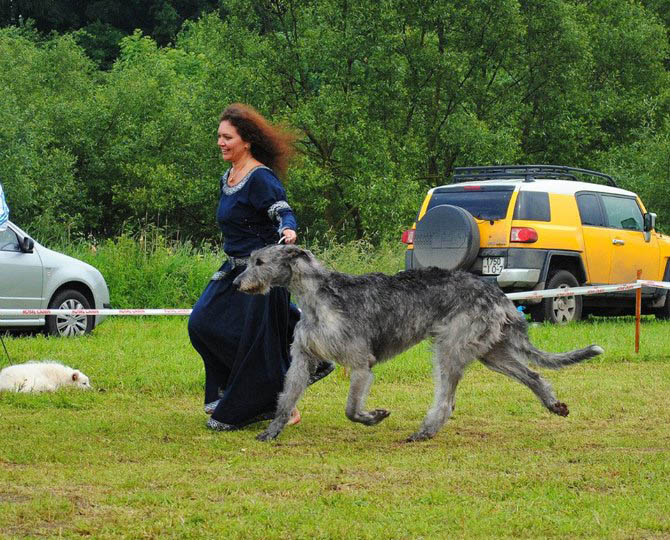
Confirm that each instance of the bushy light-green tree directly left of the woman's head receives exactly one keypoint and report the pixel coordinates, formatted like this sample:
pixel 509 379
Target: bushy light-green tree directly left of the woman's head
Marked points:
pixel 153 158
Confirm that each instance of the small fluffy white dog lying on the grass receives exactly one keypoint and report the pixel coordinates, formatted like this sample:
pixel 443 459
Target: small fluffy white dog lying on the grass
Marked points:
pixel 41 377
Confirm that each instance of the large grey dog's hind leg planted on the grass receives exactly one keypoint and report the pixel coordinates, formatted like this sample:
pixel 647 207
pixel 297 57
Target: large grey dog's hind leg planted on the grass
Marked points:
pixel 448 371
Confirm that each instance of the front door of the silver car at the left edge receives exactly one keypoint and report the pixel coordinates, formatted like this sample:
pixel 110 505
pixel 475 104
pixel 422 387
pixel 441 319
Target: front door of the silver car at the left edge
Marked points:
pixel 20 276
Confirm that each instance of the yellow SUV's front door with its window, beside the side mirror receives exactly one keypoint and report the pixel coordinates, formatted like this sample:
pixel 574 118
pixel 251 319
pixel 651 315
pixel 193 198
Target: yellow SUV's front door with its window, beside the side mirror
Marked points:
pixel 632 247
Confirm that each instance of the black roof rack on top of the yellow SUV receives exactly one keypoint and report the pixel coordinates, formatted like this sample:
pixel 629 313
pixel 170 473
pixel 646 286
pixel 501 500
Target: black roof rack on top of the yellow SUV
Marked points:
pixel 527 172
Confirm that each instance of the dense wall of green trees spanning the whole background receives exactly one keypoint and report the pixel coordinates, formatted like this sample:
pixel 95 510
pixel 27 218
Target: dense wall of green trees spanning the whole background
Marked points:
pixel 387 97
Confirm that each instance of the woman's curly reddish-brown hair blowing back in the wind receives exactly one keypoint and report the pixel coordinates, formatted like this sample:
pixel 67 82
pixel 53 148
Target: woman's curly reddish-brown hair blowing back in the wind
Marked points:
pixel 271 145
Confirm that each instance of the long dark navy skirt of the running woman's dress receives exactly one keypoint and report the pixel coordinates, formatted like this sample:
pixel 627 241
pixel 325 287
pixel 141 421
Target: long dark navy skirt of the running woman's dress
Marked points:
pixel 244 342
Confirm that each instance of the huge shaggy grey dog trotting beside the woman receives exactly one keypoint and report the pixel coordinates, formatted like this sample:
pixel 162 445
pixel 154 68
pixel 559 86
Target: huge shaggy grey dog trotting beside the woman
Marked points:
pixel 359 321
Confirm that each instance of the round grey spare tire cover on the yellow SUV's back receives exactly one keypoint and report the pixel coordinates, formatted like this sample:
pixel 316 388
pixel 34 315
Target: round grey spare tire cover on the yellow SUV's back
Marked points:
pixel 446 237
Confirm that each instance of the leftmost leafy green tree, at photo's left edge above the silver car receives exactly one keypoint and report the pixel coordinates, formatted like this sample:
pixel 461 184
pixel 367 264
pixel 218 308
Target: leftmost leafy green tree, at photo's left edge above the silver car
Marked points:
pixel 45 87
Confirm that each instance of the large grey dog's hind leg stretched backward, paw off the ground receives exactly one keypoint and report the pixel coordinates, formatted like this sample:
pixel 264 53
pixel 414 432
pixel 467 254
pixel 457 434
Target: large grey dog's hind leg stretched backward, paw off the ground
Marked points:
pixel 503 359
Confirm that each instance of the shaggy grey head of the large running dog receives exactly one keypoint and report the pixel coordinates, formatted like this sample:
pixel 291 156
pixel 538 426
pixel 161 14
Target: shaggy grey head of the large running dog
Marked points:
pixel 272 266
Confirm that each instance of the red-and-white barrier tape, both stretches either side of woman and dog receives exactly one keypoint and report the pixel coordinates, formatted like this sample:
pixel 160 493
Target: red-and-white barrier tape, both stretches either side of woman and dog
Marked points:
pixel 546 293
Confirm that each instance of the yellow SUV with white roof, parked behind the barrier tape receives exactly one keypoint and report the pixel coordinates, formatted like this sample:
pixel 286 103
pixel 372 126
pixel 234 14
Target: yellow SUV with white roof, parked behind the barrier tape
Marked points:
pixel 531 227
